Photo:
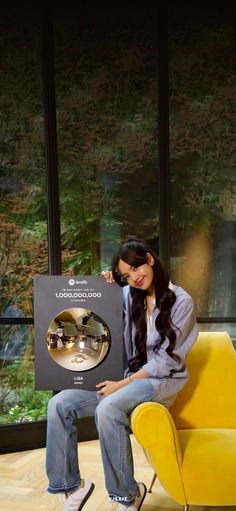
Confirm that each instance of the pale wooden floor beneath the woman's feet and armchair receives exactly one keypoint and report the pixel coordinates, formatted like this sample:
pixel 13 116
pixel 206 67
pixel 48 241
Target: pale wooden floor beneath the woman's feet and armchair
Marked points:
pixel 23 482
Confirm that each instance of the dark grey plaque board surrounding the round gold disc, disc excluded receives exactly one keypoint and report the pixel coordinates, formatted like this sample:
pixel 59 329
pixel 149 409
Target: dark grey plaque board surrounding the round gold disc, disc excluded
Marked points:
pixel 55 294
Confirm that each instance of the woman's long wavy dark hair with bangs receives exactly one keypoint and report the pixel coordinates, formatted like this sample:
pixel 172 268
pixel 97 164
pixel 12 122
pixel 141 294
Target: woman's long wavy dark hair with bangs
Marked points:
pixel 134 252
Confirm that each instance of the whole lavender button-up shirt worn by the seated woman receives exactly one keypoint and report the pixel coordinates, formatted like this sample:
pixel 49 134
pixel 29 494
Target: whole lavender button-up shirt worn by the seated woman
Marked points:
pixel 168 375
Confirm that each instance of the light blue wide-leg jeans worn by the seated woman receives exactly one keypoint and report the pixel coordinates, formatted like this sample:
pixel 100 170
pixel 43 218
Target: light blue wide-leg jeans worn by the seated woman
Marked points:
pixel 112 421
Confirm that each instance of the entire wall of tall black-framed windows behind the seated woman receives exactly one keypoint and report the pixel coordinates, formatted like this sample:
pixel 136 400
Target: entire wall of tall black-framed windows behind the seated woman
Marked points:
pixel 106 61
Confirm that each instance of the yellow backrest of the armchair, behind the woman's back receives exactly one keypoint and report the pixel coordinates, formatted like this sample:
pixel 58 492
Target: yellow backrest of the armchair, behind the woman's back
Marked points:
pixel 208 400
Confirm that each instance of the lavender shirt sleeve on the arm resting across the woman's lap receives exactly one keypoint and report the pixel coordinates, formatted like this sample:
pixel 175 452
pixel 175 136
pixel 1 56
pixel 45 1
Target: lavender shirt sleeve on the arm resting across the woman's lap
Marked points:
pixel 163 365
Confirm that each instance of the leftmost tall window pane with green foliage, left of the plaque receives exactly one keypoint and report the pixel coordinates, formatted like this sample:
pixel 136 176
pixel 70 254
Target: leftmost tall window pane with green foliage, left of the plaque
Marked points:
pixel 23 226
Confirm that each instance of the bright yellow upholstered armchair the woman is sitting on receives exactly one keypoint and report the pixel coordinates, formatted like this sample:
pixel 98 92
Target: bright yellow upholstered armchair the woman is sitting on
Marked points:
pixel 192 446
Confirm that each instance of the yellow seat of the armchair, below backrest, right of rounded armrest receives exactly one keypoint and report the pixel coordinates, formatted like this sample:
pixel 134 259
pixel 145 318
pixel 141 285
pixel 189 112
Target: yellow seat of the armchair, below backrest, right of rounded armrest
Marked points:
pixel 209 466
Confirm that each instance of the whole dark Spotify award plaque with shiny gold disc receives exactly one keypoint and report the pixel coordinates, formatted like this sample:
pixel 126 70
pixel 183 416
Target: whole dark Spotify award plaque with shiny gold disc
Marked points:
pixel 78 332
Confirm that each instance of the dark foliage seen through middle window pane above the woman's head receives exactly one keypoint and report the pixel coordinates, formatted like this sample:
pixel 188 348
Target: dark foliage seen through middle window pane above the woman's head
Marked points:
pixel 106 94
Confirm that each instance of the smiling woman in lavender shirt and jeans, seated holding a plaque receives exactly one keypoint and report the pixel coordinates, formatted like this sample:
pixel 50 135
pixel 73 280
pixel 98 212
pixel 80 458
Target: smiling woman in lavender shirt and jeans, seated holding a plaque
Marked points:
pixel 159 330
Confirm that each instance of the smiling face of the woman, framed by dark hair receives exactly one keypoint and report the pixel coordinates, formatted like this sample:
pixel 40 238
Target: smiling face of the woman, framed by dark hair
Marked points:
pixel 140 277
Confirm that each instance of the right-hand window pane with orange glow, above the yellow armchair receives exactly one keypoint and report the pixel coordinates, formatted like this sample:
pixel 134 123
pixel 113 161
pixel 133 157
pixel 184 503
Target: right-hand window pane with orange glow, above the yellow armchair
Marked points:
pixel 203 152
